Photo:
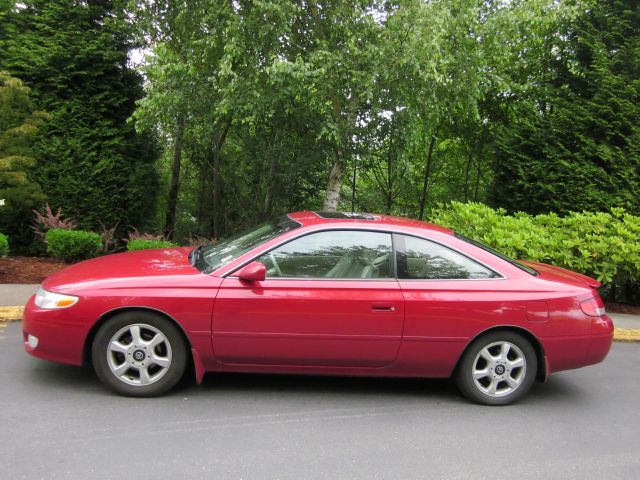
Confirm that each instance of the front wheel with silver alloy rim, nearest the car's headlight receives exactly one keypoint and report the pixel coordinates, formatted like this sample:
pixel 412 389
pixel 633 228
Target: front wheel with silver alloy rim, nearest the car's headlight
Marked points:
pixel 139 354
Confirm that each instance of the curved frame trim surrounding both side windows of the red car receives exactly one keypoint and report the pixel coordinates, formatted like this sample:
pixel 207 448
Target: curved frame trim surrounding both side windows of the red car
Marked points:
pixel 392 233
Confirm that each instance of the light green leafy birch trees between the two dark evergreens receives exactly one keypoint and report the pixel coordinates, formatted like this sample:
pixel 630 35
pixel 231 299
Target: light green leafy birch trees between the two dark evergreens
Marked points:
pixel 279 105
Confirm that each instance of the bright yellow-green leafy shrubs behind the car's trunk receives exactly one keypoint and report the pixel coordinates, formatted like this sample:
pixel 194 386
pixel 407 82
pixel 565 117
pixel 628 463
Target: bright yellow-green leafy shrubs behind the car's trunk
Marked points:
pixel 602 245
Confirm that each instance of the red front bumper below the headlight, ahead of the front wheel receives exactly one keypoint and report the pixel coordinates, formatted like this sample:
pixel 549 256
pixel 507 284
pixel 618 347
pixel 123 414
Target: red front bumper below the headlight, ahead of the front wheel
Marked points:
pixel 60 338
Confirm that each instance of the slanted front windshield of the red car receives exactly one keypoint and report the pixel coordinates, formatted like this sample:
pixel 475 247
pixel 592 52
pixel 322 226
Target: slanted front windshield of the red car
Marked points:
pixel 215 256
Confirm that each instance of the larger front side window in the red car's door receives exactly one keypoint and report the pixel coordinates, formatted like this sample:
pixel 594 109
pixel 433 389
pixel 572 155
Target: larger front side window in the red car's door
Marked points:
pixel 334 254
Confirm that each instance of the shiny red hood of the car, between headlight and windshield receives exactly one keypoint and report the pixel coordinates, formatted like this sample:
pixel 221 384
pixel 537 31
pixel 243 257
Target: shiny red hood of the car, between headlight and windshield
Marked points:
pixel 139 268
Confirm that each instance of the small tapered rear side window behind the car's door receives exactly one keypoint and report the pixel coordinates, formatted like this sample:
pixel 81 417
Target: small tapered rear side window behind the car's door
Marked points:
pixel 422 259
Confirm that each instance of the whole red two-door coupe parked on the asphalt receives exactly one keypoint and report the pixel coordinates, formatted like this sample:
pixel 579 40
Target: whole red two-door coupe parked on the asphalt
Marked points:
pixel 322 293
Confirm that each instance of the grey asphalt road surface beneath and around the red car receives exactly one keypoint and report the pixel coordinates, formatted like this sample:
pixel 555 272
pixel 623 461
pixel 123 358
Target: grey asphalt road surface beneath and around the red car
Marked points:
pixel 58 422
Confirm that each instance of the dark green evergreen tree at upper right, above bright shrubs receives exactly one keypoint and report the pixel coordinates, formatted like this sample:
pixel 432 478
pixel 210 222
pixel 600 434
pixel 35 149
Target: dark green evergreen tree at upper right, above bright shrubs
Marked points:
pixel 571 139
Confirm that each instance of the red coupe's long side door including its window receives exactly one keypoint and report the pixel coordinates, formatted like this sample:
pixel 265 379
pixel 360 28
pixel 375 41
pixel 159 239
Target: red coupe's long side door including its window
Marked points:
pixel 330 298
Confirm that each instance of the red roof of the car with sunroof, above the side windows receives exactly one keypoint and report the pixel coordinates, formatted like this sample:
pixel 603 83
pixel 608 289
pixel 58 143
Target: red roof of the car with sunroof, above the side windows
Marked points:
pixel 307 218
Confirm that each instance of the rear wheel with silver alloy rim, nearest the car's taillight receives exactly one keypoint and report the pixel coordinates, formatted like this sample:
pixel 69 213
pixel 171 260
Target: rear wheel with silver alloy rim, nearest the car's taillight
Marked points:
pixel 499 368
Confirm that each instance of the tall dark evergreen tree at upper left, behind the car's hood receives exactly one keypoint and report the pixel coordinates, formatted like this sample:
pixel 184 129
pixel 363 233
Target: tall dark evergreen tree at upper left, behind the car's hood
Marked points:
pixel 73 55
